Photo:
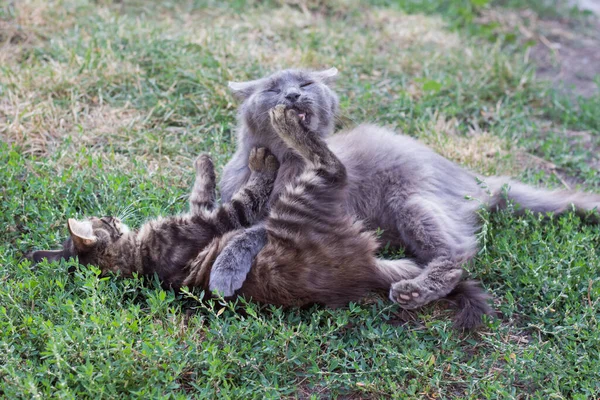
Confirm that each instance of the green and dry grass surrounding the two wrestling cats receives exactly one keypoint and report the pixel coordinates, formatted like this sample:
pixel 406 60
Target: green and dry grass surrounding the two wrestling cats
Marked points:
pixel 102 108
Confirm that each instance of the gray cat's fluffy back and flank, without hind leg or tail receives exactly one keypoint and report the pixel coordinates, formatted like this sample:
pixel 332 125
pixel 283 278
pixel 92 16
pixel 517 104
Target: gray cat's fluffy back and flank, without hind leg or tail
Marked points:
pixel 386 169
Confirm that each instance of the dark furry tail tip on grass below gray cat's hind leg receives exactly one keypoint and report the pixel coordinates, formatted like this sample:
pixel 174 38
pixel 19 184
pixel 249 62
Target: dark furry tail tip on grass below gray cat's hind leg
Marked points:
pixel 471 303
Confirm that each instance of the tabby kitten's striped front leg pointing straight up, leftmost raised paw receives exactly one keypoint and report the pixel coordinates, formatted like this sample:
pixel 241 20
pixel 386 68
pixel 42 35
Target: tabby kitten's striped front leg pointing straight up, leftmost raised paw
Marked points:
pixel 203 195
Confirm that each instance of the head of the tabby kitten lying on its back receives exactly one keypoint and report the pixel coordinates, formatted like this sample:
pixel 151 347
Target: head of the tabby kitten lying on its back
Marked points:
pixel 104 242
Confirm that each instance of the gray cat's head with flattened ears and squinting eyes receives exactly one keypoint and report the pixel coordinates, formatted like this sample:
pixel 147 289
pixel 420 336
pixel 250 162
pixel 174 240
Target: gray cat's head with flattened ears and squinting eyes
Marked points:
pixel 306 91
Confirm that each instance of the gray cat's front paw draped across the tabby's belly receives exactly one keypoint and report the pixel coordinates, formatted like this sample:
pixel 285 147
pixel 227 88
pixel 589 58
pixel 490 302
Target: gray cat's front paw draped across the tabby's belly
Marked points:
pixel 233 263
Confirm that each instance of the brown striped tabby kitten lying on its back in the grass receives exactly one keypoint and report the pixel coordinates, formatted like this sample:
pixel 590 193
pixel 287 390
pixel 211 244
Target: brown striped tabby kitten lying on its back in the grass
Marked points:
pixel 315 252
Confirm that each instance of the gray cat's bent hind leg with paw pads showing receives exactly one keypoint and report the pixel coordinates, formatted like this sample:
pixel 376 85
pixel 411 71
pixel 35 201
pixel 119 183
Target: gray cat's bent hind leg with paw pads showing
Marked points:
pixel 440 241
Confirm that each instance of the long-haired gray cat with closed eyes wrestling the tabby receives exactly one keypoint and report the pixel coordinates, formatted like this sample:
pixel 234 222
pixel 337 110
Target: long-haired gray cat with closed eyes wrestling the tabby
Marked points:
pixel 422 201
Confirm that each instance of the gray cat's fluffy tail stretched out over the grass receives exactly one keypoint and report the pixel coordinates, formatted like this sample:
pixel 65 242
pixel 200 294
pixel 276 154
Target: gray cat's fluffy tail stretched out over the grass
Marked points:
pixel 542 201
